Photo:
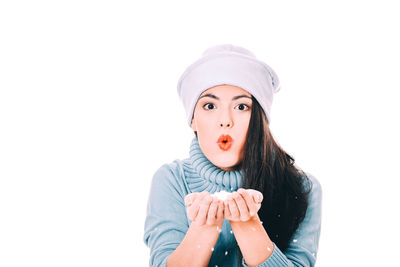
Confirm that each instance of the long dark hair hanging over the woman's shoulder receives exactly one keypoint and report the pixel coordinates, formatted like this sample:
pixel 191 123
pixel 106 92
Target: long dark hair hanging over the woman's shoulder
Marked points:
pixel 270 170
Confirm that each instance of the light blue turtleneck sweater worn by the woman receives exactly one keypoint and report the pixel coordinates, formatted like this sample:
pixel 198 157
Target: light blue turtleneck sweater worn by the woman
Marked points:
pixel 166 222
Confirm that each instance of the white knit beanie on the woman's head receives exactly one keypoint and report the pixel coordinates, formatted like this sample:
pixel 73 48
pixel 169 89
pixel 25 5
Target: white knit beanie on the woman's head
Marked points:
pixel 228 64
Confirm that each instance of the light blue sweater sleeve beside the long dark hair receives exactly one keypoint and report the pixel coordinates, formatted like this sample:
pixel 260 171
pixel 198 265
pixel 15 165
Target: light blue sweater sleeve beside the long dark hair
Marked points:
pixel 302 250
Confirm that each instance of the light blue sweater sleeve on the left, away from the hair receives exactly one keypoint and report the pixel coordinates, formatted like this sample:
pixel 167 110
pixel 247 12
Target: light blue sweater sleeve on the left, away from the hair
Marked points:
pixel 166 222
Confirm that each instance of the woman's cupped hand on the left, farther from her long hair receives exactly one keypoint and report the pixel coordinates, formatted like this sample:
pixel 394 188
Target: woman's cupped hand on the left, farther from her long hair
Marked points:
pixel 204 209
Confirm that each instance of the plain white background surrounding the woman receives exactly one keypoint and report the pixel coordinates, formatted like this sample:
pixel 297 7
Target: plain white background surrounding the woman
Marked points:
pixel 89 111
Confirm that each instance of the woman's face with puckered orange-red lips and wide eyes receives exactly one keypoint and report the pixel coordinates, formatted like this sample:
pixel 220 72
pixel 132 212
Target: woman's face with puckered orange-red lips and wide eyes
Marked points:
pixel 221 119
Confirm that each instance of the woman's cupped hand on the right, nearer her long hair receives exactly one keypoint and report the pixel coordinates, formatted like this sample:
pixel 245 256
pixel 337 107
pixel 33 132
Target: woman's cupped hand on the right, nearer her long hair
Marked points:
pixel 243 205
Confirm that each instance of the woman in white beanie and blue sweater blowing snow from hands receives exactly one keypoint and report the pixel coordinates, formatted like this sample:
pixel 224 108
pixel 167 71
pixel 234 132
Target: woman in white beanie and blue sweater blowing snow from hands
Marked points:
pixel 272 216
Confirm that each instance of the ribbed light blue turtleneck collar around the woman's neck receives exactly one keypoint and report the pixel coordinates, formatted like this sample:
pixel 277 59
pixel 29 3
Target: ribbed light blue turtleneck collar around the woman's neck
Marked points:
pixel 202 175
